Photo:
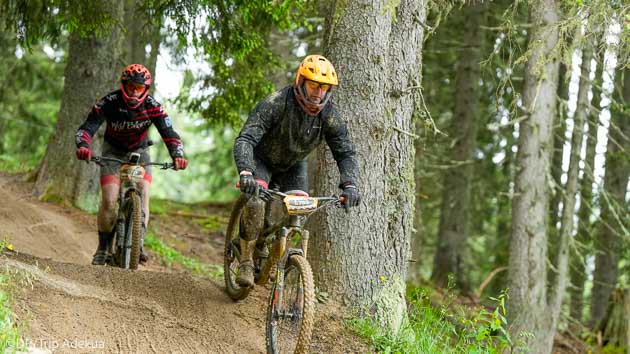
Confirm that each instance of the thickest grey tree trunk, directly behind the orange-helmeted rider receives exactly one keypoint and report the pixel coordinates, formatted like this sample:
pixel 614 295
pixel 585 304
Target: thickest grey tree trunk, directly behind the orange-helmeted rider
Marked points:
pixel 362 256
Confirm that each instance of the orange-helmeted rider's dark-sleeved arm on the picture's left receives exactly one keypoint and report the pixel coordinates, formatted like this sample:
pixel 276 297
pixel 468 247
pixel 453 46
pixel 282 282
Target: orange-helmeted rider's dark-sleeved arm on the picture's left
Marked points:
pixel 260 120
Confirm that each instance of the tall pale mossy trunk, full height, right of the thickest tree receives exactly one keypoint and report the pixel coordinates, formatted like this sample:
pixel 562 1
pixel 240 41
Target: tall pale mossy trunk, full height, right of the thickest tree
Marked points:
pixel 528 248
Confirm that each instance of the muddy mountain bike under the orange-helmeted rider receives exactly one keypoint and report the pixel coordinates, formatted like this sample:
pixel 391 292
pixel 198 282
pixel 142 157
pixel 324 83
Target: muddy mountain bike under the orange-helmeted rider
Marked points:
pixel 290 312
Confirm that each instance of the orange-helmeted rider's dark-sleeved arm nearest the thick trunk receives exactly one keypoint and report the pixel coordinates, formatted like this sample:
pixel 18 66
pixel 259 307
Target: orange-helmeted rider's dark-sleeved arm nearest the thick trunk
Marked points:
pixel 341 146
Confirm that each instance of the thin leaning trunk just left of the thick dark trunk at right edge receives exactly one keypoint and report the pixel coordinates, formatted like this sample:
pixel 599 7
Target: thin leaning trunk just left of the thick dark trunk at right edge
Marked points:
pixel 581 249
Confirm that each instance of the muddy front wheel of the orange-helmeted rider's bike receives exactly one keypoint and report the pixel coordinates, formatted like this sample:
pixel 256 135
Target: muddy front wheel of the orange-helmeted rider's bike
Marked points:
pixel 291 309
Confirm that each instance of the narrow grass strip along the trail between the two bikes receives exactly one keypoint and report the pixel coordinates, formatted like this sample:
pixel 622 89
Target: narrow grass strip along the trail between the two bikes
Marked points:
pixel 170 256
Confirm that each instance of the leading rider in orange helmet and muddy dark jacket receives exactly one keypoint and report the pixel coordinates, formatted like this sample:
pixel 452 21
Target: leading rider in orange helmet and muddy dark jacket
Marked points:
pixel 273 145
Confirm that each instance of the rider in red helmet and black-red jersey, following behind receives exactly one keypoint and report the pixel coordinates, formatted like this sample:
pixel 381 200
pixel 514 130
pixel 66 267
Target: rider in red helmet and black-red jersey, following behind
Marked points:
pixel 128 113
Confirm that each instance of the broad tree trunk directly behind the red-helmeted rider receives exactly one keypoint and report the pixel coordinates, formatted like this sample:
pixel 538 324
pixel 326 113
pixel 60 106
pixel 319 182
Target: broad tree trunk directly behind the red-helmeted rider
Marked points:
pixel 91 72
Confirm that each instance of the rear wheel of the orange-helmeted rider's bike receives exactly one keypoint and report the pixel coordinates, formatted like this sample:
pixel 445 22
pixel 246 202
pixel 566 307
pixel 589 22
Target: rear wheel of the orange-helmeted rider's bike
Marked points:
pixel 232 253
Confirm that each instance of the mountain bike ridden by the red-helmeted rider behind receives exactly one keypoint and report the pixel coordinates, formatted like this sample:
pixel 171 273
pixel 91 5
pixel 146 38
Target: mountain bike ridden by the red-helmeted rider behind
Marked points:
pixel 129 227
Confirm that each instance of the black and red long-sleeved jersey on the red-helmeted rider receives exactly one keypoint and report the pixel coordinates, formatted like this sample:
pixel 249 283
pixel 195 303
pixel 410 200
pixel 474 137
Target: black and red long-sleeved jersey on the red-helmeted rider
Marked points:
pixel 127 129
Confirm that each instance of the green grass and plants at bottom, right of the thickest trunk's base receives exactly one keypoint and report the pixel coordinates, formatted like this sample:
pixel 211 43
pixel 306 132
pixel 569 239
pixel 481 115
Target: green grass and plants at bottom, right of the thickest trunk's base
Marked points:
pixel 430 329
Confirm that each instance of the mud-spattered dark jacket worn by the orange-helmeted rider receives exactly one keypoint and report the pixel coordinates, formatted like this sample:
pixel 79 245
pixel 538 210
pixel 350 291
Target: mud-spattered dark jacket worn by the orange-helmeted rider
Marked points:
pixel 279 134
